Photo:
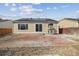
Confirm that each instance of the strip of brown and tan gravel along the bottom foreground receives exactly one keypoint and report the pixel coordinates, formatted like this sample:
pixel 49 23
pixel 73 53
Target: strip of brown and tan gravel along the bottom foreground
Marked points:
pixel 39 51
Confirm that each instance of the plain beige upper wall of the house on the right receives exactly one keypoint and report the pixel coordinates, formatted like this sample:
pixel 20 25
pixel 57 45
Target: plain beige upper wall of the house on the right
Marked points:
pixel 67 24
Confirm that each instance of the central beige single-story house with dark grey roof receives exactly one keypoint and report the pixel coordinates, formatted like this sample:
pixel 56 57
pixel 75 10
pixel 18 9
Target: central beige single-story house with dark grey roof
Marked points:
pixel 35 25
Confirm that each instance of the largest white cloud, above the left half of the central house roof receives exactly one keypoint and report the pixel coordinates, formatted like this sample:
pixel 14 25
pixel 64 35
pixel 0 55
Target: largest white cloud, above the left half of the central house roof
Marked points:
pixel 29 9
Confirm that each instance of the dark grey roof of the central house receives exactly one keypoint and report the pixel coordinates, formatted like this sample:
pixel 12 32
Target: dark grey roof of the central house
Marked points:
pixel 45 20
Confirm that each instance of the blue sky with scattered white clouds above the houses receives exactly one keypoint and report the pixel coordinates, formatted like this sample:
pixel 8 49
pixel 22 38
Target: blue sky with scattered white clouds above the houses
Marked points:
pixel 55 11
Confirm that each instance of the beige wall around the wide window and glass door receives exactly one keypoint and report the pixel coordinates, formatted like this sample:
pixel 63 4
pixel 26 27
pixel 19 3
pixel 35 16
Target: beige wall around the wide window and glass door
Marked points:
pixel 31 28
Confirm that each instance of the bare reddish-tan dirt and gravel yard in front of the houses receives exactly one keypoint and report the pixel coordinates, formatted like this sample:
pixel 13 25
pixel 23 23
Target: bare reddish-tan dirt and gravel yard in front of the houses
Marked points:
pixel 38 44
